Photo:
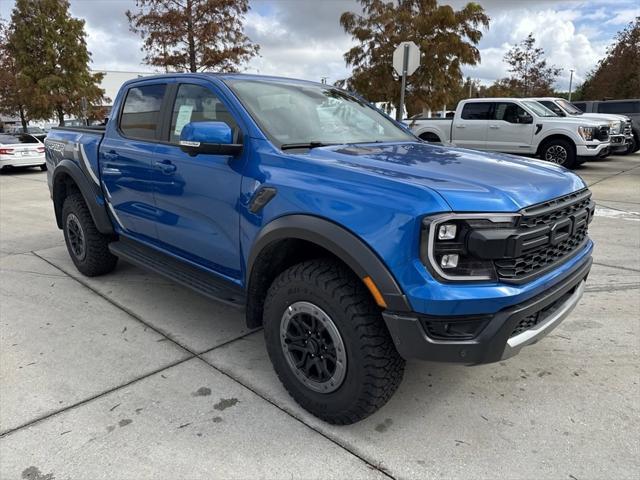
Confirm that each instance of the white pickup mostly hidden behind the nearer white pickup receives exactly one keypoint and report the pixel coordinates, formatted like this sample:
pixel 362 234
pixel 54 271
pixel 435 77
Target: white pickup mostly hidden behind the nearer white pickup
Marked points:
pixel 620 133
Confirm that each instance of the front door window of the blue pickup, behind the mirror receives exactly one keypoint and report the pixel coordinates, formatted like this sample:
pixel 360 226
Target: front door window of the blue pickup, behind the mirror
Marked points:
pixel 197 104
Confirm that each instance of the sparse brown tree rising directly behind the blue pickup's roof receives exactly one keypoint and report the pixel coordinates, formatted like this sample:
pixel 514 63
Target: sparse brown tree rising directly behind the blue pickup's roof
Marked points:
pixel 193 35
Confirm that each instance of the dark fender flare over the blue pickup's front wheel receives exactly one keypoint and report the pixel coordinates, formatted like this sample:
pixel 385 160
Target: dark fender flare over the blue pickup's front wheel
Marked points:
pixel 341 242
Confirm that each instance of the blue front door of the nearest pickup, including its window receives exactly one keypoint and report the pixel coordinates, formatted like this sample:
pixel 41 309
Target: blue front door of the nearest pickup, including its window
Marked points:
pixel 197 196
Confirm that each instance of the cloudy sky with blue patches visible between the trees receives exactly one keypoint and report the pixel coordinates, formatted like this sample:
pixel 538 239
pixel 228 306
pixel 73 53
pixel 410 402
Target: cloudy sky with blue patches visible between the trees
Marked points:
pixel 303 39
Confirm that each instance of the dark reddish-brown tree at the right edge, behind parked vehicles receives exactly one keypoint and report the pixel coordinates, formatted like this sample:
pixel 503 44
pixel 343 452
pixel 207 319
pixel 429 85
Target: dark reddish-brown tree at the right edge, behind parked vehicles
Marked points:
pixel 618 74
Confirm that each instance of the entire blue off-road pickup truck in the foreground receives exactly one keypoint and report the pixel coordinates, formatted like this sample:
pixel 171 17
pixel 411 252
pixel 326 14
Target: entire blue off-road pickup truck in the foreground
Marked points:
pixel 351 242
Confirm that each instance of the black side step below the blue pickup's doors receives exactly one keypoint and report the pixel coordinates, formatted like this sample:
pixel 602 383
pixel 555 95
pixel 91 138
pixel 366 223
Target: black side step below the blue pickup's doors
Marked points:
pixel 203 282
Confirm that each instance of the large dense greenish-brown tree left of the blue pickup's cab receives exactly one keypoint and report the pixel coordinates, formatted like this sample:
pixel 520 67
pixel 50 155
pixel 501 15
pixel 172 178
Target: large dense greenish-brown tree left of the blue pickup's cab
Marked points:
pixel 52 60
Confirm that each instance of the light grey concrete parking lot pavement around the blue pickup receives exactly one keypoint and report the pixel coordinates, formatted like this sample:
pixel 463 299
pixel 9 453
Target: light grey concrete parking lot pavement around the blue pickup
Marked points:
pixel 131 376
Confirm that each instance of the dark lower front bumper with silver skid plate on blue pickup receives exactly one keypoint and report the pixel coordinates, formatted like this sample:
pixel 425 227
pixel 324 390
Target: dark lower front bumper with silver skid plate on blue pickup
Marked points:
pixel 502 335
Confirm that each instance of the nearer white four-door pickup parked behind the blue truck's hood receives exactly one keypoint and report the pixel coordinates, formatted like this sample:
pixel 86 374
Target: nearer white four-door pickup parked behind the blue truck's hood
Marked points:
pixel 519 126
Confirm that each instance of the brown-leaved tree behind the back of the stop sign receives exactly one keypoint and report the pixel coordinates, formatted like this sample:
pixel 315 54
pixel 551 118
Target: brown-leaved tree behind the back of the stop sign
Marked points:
pixel 447 40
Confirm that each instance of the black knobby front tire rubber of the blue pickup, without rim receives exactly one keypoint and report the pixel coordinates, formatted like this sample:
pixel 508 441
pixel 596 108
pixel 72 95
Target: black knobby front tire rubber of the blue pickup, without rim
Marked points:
pixel 384 366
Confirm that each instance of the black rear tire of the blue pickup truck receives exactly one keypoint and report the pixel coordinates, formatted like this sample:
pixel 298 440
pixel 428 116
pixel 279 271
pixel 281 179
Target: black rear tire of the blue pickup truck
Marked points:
pixel 97 259
